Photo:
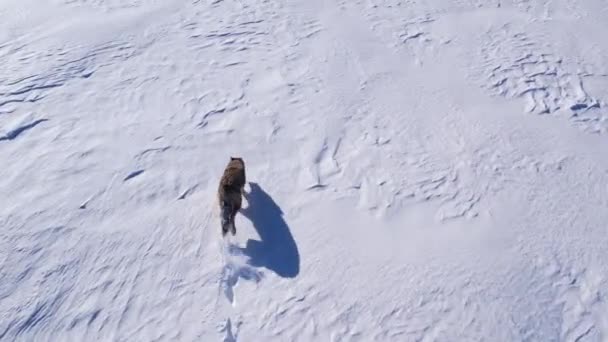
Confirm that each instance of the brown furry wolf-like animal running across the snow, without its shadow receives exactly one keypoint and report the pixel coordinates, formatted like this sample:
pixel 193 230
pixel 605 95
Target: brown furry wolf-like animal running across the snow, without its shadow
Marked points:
pixel 230 193
